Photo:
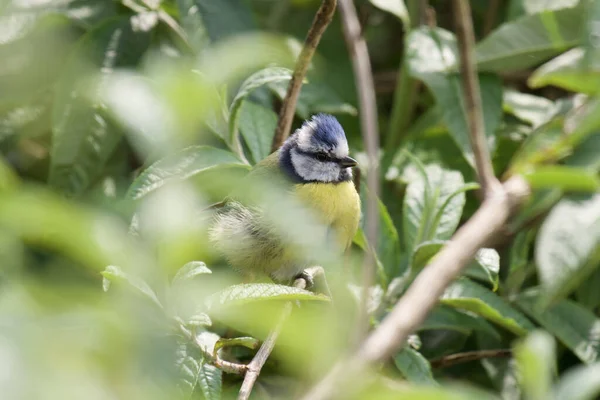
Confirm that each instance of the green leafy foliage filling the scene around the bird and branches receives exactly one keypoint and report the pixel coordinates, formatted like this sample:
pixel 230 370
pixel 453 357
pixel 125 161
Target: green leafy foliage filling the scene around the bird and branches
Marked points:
pixel 120 121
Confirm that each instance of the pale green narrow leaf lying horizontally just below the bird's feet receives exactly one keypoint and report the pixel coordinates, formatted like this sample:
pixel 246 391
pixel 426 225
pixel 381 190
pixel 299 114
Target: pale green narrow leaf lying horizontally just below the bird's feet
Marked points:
pixel 253 292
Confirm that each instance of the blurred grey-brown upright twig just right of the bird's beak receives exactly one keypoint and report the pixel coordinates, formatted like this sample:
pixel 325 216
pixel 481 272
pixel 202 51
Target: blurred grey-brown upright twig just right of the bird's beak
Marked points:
pixel 363 77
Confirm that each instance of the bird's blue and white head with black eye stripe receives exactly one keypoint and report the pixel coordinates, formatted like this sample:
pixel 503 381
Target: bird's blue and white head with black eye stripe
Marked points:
pixel 318 152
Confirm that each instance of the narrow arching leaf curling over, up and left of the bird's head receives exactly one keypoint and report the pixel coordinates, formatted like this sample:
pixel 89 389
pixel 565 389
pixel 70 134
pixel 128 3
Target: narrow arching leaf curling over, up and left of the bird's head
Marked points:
pixel 256 80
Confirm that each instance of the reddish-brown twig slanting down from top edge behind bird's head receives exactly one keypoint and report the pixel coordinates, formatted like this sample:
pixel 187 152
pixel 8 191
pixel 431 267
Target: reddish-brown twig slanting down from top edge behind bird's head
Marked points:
pixel 288 107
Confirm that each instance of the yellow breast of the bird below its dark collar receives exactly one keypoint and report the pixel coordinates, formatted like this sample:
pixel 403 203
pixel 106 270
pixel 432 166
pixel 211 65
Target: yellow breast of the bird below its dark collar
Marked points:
pixel 338 206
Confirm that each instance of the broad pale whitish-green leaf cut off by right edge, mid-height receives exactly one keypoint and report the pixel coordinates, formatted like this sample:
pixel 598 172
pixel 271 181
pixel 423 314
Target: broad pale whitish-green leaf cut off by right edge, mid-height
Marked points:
pixel 564 255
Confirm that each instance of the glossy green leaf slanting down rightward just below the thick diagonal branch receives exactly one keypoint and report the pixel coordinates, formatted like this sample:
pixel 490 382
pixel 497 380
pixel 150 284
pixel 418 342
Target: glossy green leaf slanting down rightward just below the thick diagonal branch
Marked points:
pixel 468 295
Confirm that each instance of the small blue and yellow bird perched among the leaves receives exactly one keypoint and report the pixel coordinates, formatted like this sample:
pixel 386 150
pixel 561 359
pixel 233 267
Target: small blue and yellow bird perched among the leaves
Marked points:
pixel 315 165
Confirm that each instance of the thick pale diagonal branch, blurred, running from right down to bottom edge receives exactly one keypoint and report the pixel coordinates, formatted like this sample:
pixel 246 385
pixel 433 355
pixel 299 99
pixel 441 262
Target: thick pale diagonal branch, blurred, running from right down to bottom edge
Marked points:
pixel 423 294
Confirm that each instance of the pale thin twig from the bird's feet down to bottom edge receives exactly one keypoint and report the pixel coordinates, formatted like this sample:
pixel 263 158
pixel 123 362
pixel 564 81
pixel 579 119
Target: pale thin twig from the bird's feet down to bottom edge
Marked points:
pixel 261 356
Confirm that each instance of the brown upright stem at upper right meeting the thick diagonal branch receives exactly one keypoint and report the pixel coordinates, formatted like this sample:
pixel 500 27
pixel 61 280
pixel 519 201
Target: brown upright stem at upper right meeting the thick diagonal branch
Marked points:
pixel 470 81
